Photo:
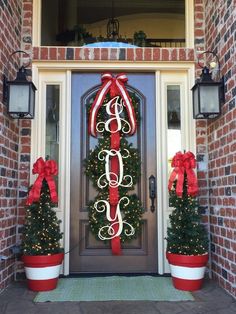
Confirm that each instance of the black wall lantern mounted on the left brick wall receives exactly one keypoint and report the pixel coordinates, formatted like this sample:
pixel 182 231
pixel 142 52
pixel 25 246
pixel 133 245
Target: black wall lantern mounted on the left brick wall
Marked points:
pixel 19 95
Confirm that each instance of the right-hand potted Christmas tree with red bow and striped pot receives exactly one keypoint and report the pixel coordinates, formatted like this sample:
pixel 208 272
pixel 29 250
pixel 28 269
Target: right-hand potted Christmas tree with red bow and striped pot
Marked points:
pixel 187 239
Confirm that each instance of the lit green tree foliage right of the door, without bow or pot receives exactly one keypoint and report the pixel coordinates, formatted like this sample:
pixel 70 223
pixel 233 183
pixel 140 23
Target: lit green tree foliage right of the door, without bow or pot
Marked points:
pixel 186 234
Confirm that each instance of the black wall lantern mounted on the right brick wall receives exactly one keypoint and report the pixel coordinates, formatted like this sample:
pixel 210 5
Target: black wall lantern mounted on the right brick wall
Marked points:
pixel 208 95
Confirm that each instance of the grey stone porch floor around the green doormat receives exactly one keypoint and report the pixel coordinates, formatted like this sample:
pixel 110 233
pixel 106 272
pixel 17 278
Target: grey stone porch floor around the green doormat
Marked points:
pixel 17 299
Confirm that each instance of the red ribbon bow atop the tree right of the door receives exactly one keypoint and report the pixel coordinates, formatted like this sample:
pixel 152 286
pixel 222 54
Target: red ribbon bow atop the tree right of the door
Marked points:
pixel 184 163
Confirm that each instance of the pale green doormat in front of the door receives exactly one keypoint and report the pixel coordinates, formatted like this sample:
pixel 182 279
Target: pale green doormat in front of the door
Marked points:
pixel 136 288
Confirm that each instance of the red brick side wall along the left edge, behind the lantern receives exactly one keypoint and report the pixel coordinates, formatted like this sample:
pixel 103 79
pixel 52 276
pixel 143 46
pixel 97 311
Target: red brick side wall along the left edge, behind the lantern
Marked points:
pixel 10 40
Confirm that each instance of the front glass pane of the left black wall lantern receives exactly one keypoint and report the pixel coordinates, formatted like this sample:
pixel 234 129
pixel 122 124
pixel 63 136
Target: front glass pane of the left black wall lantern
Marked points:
pixel 18 98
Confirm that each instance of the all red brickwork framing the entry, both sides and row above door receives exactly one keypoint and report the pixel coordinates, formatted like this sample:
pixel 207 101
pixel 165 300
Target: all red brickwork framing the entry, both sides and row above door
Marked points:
pixel 214 29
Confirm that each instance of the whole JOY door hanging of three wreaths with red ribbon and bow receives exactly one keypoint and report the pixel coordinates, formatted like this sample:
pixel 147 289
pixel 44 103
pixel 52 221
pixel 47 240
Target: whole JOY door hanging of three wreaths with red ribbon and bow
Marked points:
pixel 113 165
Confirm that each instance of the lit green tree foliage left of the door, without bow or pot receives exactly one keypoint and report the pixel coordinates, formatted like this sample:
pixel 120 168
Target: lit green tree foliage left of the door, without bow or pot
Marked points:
pixel 41 234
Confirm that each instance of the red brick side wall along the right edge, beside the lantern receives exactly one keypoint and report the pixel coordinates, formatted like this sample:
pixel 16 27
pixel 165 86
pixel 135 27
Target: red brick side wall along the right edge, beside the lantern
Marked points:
pixel 221 133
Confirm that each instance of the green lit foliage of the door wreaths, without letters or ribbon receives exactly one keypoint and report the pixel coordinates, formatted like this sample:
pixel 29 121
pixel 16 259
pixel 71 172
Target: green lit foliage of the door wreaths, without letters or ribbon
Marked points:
pixel 94 168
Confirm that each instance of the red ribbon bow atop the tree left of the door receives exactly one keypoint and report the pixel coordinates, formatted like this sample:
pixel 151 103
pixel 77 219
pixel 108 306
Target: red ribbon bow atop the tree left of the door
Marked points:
pixel 45 170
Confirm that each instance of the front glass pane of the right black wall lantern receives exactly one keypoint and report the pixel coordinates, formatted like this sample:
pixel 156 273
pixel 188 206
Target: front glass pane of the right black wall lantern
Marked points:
pixel 209 98
